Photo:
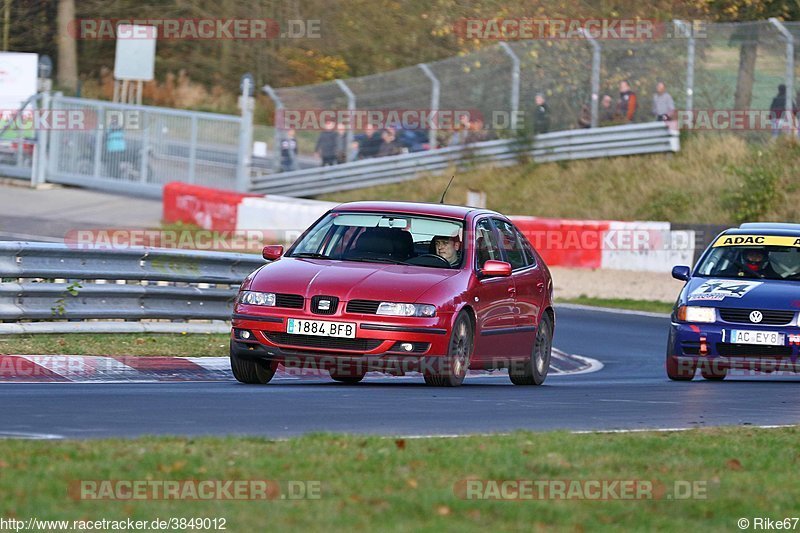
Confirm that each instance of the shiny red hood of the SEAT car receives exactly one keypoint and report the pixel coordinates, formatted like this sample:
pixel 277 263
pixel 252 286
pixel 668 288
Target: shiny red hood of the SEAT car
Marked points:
pixel 349 280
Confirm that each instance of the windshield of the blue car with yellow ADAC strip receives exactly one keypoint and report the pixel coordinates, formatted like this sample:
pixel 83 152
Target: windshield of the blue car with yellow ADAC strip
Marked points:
pixel 753 256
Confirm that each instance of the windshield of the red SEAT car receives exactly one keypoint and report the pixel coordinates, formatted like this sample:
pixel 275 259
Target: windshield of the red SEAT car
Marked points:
pixel 384 238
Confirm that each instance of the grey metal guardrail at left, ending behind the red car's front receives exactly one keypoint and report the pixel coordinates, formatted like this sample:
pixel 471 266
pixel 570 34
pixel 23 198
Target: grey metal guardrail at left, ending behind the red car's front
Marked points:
pixel 57 283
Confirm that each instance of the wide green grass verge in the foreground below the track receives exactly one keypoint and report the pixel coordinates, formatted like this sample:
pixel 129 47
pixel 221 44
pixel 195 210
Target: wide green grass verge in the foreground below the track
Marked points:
pixel 370 483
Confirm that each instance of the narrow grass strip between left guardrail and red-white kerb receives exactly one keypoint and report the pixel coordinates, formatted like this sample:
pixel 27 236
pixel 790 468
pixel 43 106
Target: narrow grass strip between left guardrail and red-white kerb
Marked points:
pixel 163 344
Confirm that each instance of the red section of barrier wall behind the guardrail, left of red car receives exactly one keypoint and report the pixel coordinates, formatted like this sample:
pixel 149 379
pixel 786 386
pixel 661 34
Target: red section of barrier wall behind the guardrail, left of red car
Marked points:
pixel 209 208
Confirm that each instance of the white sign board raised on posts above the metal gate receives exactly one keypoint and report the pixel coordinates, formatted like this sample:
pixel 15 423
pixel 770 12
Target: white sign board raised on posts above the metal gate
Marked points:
pixel 136 52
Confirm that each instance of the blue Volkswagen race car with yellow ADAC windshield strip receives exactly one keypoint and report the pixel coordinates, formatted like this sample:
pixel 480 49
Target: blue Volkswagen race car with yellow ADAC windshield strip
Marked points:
pixel 739 306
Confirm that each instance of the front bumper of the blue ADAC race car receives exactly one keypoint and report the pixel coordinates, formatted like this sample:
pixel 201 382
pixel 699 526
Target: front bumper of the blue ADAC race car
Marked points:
pixel 709 344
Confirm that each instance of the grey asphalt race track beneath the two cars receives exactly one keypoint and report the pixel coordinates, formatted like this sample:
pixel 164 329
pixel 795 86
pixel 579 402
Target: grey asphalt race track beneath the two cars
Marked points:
pixel 630 392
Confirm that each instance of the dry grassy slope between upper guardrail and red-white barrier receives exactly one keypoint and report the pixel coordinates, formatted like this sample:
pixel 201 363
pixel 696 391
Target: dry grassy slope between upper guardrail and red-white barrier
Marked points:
pixel 693 185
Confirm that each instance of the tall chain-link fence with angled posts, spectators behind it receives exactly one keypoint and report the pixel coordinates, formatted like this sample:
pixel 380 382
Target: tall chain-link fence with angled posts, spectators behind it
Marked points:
pixel 713 69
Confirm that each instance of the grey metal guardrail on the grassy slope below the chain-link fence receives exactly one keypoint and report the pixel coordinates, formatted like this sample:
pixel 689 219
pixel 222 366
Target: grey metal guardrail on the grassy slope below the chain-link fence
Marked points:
pixel 630 139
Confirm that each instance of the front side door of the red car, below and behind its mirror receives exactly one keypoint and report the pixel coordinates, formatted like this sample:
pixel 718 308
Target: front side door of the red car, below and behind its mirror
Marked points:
pixel 494 300
